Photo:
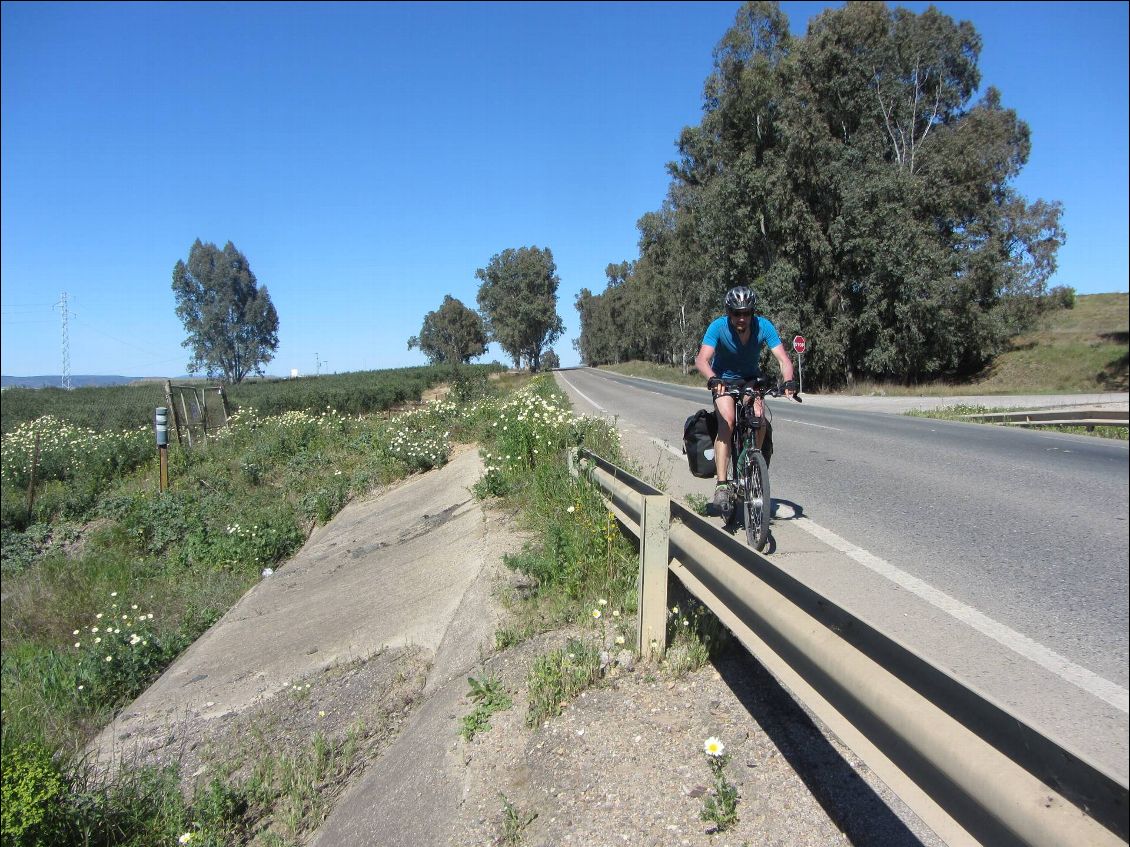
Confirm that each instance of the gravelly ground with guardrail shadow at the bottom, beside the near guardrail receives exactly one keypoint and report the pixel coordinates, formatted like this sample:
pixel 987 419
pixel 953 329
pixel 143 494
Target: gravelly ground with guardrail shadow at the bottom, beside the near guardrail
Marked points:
pixel 624 765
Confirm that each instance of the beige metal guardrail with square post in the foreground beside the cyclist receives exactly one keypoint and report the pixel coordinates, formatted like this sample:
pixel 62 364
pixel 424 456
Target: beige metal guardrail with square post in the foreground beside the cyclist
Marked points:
pixel 970 770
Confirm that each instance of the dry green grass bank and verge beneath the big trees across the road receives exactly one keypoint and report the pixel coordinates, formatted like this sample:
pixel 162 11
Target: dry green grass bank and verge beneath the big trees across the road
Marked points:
pixel 1077 351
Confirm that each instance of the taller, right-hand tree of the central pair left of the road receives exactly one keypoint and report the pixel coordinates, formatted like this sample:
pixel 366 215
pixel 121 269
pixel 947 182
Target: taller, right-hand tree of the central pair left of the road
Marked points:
pixel 518 298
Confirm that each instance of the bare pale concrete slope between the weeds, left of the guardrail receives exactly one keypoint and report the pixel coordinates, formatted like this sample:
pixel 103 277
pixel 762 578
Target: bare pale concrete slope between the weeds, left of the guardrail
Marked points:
pixel 387 572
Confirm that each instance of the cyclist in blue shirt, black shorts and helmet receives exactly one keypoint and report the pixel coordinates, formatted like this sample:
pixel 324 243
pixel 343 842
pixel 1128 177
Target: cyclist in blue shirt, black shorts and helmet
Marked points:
pixel 731 356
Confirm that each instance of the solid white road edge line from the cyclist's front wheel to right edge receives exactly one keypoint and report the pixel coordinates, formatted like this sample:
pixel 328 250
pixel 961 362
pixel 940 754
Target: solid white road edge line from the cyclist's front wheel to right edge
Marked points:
pixel 1064 668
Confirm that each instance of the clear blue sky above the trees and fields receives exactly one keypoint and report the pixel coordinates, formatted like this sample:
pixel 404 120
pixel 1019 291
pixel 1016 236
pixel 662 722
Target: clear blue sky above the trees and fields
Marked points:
pixel 368 159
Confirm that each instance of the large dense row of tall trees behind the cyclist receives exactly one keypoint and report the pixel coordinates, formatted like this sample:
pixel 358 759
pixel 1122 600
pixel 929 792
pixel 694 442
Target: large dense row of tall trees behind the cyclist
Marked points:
pixel 851 181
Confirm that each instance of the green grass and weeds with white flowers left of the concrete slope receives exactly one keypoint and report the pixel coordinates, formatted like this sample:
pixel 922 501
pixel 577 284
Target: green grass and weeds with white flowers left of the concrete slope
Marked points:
pixel 171 564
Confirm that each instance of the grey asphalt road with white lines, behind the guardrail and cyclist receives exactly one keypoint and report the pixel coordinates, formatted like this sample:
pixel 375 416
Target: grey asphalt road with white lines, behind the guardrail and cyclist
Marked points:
pixel 998 553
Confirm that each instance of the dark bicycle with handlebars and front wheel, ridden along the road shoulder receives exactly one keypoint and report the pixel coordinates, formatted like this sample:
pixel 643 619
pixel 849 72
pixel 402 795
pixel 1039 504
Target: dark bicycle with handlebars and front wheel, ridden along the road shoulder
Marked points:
pixel 750 469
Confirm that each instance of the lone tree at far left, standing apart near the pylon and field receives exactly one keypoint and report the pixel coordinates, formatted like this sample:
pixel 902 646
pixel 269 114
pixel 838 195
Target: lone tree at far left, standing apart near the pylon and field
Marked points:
pixel 232 325
